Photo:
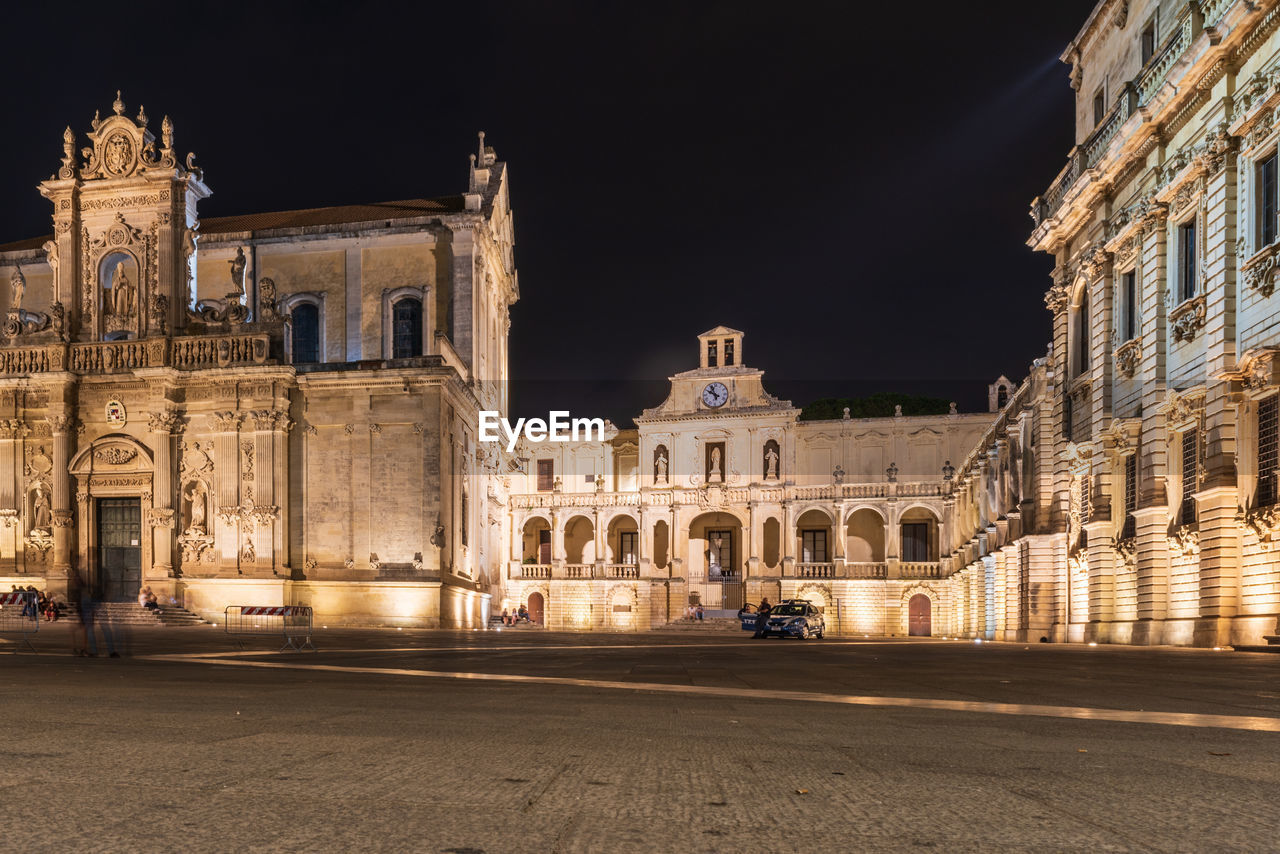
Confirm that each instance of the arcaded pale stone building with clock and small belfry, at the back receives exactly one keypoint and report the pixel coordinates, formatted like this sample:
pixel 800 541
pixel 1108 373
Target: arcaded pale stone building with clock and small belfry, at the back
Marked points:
pixel 723 496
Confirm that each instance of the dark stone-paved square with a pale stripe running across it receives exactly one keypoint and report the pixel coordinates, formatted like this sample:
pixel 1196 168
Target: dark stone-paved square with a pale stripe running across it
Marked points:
pixel 540 742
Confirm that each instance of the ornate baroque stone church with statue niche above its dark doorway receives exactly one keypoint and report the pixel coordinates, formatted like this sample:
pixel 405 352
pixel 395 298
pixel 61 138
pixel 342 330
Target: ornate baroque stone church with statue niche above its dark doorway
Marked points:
pixel 253 410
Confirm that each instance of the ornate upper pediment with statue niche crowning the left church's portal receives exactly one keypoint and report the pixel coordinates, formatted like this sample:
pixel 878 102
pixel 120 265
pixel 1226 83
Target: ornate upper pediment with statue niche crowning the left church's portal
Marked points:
pixel 125 231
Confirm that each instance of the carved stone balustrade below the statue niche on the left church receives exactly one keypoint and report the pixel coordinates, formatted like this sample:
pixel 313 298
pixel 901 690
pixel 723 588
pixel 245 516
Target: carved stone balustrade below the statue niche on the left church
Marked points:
pixel 186 353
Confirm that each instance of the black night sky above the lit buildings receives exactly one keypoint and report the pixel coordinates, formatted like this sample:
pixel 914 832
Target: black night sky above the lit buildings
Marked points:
pixel 845 182
